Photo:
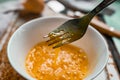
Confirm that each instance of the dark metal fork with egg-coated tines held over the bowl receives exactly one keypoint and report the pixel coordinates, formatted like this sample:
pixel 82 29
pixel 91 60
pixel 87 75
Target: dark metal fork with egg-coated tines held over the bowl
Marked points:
pixel 74 29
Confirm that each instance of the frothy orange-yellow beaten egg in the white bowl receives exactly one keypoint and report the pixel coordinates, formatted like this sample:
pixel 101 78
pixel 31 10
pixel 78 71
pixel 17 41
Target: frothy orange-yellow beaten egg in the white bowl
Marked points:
pixel 64 63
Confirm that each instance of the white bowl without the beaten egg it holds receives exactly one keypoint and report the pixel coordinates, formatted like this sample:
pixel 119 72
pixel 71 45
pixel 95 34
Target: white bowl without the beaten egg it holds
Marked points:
pixel 32 32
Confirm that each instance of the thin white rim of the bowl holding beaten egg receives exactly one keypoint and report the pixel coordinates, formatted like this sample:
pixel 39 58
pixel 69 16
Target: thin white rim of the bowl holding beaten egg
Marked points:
pixel 64 18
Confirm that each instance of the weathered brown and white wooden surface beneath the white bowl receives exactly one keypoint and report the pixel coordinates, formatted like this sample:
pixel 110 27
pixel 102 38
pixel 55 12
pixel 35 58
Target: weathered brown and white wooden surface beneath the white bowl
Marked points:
pixel 15 20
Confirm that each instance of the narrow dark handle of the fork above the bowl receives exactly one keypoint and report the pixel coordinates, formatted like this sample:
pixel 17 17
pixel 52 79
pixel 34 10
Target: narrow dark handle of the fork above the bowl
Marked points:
pixel 100 7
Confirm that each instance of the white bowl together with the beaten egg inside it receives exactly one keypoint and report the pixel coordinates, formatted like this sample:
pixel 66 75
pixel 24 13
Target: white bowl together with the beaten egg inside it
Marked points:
pixel 31 57
